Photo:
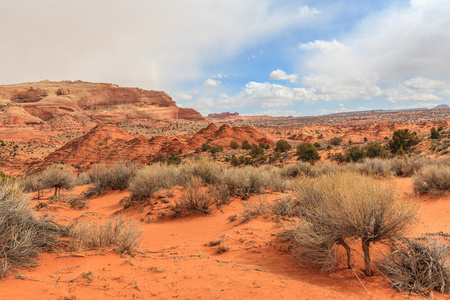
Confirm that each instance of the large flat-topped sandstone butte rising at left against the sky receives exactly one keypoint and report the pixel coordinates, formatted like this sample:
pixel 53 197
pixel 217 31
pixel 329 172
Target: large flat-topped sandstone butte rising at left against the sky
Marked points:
pixel 41 102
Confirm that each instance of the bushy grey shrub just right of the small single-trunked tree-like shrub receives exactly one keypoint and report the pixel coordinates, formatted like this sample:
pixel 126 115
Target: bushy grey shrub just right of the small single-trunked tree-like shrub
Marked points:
pixel 105 177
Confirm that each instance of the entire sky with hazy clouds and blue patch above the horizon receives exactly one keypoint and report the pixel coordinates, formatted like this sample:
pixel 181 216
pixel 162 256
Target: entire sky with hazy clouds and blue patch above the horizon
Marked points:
pixel 255 57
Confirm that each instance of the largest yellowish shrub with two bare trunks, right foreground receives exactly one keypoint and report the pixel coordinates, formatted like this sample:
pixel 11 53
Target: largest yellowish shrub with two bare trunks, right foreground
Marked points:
pixel 341 207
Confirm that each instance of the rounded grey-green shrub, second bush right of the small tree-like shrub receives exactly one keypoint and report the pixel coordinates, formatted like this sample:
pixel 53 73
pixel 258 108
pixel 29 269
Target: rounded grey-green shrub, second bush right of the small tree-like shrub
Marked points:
pixel 151 179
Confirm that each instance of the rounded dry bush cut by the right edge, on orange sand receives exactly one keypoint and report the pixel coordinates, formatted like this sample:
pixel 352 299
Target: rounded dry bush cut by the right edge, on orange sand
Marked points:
pixel 432 178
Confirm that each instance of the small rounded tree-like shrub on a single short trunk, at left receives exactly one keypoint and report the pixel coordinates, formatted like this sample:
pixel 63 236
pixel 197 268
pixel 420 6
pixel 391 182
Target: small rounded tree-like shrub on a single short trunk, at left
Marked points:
pixel 58 177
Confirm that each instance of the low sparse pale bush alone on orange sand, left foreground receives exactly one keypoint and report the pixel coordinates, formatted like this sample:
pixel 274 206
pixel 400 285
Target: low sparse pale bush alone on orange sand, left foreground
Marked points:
pixel 123 233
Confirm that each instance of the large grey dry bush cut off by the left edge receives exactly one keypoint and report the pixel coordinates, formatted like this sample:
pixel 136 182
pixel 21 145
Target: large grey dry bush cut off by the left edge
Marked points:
pixel 22 234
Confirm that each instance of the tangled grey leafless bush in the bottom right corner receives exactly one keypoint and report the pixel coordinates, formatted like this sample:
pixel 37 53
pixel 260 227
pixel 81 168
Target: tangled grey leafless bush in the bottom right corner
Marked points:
pixel 418 266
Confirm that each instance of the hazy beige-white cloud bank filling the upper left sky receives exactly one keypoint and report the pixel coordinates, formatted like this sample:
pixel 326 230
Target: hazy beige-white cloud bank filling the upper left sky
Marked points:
pixel 155 44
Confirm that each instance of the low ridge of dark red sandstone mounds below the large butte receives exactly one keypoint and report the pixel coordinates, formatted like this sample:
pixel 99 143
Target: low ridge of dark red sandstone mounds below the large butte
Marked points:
pixel 107 143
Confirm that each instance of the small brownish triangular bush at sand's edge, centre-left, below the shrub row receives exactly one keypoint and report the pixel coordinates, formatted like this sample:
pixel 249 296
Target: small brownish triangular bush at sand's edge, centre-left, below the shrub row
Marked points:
pixel 193 199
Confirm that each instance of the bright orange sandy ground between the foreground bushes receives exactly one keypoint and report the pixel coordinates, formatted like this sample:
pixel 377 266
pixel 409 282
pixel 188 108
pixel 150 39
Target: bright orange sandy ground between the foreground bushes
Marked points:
pixel 175 262
